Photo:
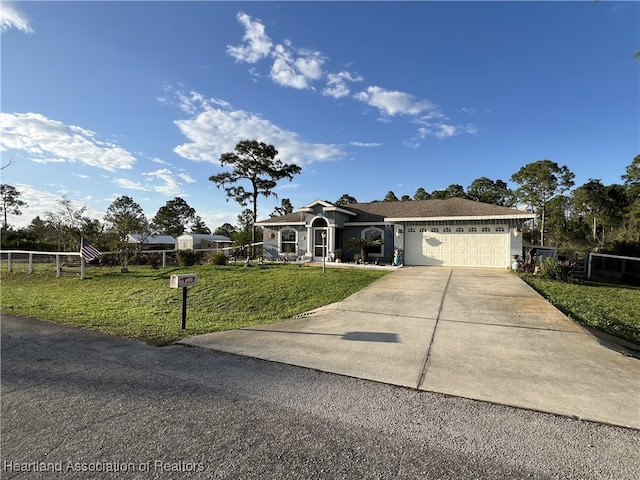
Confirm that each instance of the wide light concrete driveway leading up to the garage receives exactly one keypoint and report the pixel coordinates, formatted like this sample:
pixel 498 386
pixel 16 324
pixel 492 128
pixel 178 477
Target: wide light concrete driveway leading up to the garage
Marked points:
pixel 476 333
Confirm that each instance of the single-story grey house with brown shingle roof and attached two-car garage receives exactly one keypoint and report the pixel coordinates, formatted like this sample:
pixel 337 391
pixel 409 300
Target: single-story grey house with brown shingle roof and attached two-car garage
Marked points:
pixel 454 231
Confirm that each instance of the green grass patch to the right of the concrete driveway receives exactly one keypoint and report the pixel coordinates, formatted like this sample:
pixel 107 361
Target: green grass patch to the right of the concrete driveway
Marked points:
pixel 614 309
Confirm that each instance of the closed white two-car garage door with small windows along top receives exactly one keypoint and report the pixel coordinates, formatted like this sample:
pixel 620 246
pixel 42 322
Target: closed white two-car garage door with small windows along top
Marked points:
pixel 458 246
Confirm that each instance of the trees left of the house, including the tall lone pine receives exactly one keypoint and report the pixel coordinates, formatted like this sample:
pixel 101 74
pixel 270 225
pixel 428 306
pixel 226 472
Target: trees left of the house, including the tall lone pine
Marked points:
pixel 61 229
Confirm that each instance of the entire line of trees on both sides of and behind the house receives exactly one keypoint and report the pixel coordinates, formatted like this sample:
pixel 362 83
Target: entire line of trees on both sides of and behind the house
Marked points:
pixel 593 216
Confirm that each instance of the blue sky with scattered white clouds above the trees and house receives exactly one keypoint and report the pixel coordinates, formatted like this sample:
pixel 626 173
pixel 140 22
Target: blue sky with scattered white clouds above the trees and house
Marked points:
pixel 103 99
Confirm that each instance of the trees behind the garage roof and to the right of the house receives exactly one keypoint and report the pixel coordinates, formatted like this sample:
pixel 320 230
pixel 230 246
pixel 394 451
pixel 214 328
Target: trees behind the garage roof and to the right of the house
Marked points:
pixel 591 217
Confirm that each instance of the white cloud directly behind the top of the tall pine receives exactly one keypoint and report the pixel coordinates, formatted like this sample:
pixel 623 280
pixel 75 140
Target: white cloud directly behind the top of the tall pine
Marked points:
pixel 213 131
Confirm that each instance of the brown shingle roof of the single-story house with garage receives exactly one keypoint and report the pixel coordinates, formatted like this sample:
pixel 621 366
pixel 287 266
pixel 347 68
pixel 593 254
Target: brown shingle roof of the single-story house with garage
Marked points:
pixel 415 210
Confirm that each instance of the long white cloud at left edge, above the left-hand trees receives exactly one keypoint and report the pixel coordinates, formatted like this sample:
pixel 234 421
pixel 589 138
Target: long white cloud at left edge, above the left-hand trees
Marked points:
pixel 47 140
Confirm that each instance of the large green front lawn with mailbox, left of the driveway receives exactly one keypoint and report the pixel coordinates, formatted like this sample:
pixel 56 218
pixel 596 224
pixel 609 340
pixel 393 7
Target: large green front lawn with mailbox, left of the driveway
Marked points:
pixel 141 305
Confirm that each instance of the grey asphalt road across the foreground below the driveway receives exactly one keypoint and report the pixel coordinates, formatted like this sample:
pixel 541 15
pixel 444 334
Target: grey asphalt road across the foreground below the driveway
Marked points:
pixel 79 404
